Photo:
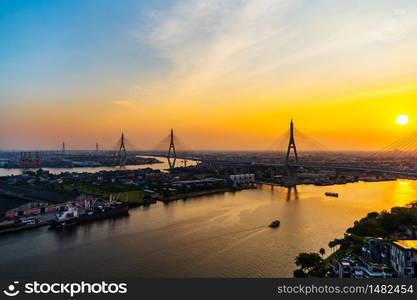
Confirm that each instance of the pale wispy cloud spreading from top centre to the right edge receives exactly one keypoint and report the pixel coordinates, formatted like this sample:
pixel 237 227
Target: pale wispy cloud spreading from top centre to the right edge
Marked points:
pixel 235 45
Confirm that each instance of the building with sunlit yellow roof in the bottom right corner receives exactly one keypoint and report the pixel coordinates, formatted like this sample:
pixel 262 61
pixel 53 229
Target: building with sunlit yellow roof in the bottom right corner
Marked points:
pixel 403 255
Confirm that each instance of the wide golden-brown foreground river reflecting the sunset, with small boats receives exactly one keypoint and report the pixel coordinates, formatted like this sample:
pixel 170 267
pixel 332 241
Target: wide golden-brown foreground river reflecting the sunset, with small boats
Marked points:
pixel 224 235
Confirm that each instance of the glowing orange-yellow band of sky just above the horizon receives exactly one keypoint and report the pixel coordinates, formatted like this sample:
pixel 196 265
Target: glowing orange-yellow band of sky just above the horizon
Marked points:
pixel 361 121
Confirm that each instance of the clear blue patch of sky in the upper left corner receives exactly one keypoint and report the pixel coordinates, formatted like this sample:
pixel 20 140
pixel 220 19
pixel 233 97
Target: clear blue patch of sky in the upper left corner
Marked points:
pixel 70 43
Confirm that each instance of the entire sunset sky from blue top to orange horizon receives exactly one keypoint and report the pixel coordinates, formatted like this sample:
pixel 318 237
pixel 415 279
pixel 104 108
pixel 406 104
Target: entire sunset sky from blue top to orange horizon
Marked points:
pixel 227 74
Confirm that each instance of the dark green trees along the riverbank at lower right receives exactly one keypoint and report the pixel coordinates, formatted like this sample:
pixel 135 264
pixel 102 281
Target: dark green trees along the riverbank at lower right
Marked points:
pixel 384 224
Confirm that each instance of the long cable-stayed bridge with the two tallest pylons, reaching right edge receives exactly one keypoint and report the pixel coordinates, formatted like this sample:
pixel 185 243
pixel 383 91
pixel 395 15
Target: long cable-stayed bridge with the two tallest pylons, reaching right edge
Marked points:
pixel 290 157
